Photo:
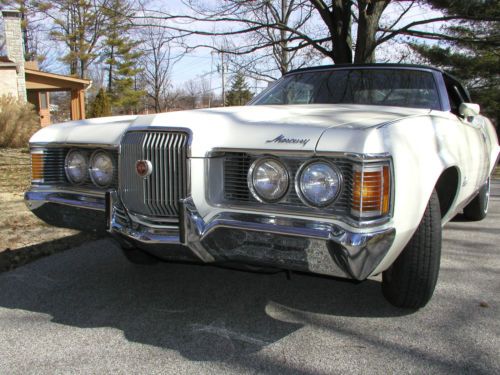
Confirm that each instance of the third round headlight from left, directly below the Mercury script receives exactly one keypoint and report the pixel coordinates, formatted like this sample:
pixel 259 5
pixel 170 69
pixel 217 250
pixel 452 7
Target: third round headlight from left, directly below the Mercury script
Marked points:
pixel 268 180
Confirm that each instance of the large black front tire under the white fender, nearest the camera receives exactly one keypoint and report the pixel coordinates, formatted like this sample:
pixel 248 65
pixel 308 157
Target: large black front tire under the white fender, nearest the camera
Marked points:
pixel 410 281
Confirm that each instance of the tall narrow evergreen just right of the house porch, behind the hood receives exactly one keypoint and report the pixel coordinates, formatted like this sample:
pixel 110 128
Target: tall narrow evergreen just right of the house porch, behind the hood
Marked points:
pixel 122 58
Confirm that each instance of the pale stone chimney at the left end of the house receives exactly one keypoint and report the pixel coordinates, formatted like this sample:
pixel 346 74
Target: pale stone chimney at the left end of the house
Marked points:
pixel 14 45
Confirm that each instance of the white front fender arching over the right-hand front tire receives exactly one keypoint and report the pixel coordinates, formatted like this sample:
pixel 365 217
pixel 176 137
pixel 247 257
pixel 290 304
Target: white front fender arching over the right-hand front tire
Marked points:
pixel 422 148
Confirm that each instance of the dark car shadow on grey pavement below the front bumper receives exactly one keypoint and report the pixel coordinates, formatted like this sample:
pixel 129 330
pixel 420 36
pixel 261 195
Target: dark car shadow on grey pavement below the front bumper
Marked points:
pixel 203 312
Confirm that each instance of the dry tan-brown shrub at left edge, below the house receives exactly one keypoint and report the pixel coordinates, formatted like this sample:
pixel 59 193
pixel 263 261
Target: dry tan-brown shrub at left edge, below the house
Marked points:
pixel 18 122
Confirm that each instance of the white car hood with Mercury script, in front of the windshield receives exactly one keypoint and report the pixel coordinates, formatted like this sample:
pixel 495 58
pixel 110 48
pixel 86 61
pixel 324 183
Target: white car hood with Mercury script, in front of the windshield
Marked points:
pixel 284 127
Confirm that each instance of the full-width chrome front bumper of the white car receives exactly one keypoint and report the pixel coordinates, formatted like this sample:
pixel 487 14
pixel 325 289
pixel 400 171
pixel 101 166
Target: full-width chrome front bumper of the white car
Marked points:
pixel 250 238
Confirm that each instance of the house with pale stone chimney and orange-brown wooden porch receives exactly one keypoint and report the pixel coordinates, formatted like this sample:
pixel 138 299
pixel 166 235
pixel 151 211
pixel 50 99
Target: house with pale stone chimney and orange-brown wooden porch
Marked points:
pixel 23 79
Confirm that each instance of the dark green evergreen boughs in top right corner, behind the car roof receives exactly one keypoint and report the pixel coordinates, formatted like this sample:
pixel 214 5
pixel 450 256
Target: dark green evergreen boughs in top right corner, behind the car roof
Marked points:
pixel 470 50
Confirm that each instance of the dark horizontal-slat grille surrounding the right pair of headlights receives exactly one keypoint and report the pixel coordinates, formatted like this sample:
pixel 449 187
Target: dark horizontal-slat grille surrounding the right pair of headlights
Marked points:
pixel 236 166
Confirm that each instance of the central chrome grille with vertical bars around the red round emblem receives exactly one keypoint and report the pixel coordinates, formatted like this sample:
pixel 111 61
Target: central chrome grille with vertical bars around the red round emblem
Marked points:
pixel 158 194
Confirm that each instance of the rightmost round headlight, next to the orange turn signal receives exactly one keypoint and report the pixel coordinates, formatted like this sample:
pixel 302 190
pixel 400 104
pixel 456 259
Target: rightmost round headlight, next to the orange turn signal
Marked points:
pixel 319 183
